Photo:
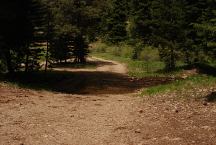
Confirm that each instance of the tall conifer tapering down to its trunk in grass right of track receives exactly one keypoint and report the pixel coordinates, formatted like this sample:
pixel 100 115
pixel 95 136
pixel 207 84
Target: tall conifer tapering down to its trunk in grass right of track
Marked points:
pixel 167 29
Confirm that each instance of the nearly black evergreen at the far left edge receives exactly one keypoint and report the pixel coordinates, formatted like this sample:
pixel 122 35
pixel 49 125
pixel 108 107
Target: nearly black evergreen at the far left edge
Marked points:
pixel 17 30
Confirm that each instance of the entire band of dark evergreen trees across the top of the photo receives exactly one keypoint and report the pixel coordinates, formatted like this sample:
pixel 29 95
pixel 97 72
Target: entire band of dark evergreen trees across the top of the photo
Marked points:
pixel 32 31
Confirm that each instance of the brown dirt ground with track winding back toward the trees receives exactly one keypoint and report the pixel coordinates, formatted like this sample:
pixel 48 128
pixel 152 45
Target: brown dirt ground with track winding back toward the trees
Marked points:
pixel 106 110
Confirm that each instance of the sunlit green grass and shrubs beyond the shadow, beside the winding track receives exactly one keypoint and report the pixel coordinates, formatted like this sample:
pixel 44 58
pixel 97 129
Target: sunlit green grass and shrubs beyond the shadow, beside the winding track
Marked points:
pixel 147 63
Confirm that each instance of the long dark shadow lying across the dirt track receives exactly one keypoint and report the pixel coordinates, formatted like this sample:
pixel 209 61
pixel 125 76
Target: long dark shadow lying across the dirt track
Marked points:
pixel 83 82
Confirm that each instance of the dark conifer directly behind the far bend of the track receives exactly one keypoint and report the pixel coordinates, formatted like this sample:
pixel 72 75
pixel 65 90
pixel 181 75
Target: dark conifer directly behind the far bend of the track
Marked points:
pixel 115 21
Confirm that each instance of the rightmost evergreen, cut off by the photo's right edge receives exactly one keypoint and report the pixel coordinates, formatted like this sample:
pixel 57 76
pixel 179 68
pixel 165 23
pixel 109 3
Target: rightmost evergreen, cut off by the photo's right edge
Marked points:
pixel 206 29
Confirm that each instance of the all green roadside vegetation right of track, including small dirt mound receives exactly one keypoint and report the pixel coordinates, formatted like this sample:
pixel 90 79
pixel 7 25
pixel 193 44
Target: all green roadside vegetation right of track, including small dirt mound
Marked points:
pixel 190 82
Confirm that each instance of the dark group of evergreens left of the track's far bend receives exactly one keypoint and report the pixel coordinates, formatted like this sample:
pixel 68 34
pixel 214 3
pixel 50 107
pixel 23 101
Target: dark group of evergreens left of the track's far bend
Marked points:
pixel 36 31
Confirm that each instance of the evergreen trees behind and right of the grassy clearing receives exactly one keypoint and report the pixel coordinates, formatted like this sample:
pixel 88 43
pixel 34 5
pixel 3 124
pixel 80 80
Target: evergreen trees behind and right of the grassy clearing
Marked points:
pixel 179 29
